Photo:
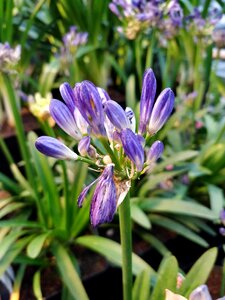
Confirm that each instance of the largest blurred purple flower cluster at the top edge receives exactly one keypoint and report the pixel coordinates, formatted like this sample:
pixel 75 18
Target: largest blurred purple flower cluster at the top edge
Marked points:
pixel 140 15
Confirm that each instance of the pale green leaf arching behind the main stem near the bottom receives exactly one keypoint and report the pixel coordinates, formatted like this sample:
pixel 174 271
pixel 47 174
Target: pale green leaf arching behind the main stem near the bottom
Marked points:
pixel 112 251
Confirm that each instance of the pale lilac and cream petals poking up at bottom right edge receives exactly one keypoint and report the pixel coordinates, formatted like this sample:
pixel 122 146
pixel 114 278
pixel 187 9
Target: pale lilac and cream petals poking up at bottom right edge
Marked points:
pixel 200 293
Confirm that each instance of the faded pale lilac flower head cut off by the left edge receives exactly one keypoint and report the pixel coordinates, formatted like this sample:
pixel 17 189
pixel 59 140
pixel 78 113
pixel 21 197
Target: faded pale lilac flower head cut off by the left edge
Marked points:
pixel 9 57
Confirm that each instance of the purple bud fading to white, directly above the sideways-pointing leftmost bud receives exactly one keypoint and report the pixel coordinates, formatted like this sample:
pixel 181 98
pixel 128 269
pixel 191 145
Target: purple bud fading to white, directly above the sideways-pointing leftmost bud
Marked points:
pixel 64 118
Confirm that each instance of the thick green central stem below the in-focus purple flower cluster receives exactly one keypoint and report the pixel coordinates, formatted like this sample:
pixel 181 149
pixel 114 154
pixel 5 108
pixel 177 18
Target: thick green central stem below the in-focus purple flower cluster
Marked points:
pixel 126 244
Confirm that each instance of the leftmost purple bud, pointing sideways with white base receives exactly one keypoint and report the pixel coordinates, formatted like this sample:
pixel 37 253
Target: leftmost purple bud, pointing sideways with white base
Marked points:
pixel 52 147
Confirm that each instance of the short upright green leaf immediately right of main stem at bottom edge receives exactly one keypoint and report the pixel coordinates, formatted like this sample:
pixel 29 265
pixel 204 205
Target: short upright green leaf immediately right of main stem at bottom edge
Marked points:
pixel 141 288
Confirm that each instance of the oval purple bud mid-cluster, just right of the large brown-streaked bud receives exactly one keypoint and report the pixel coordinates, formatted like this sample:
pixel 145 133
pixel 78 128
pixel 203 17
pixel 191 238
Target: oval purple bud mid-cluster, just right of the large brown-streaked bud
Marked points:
pixel 116 114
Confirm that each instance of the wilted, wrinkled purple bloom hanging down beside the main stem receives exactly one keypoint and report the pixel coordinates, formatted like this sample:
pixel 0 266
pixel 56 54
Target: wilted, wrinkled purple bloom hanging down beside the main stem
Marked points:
pixel 103 204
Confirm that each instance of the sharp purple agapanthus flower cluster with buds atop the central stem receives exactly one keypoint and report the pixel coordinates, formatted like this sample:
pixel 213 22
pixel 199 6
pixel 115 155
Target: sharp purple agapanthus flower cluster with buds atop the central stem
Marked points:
pixel 109 139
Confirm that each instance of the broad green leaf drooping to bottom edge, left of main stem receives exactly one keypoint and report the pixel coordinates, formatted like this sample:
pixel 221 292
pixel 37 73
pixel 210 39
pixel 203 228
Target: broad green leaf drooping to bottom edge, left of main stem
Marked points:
pixel 68 272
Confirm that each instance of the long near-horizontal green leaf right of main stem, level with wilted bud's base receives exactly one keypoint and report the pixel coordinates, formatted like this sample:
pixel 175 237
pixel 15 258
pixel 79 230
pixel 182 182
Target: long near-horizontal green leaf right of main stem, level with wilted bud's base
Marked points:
pixel 176 207
